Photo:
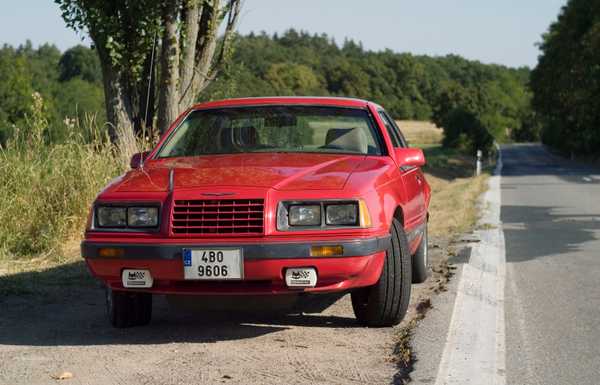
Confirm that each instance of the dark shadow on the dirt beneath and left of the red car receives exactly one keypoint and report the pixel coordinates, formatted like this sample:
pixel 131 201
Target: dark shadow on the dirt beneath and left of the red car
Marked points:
pixel 63 306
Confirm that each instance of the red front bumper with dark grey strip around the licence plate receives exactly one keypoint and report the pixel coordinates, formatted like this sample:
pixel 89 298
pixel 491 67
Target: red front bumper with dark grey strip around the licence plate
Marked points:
pixel 264 266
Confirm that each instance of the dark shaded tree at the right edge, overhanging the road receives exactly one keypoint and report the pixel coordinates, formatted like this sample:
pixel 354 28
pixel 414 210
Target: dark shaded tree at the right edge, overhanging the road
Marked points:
pixel 566 81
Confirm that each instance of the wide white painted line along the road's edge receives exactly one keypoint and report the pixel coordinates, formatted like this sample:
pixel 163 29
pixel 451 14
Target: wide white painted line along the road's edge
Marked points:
pixel 475 351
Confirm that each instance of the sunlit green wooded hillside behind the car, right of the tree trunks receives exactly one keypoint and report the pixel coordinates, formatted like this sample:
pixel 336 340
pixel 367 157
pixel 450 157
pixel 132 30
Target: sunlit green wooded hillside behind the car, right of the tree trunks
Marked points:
pixel 408 86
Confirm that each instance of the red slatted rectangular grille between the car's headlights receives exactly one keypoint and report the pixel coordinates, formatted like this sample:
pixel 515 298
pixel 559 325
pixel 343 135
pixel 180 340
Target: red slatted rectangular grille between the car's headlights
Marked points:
pixel 210 217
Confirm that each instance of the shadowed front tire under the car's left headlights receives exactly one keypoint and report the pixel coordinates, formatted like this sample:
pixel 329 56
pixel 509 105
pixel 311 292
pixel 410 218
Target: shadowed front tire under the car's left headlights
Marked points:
pixel 125 309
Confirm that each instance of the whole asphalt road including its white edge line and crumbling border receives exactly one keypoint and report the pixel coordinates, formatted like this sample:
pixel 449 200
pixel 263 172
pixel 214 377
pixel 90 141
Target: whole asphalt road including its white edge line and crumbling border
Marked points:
pixel 542 279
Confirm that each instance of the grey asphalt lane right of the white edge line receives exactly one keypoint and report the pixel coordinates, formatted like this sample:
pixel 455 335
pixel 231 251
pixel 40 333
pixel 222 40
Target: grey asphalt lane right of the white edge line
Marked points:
pixel 551 220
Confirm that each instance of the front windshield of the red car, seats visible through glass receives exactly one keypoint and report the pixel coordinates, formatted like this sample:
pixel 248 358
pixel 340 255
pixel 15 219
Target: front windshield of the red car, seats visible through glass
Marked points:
pixel 273 129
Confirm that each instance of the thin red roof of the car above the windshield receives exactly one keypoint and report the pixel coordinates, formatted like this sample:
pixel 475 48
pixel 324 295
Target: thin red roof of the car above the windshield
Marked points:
pixel 285 100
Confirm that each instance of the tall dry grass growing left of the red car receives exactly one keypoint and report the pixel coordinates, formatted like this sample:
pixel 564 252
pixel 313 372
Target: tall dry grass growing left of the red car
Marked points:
pixel 47 187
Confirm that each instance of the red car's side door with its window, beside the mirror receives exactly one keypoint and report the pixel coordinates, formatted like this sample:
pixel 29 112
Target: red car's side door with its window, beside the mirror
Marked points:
pixel 411 177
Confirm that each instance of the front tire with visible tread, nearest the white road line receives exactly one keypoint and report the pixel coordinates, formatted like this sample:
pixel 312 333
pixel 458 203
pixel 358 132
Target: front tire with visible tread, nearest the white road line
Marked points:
pixel 385 303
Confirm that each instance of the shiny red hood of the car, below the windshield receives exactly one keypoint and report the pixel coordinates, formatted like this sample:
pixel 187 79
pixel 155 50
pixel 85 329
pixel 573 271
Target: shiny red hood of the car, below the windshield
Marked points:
pixel 281 171
